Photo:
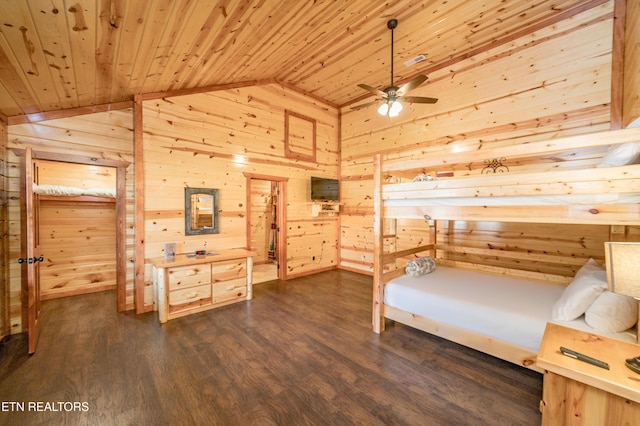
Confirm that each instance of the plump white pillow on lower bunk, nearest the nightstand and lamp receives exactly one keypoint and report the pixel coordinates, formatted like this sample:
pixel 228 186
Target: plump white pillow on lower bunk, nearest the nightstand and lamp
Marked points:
pixel 612 313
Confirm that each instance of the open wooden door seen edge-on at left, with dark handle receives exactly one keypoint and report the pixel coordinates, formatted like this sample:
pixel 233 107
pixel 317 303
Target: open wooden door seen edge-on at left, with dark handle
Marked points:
pixel 30 264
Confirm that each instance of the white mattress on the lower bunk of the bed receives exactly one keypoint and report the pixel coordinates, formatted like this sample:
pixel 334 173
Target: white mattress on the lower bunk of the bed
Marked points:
pixel 509 309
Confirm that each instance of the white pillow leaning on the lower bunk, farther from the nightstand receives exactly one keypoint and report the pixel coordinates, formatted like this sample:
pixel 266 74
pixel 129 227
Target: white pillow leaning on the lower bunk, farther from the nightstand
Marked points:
pixel 587 285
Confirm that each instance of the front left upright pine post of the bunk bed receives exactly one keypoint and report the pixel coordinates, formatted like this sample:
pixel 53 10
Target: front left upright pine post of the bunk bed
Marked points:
pixel 378 246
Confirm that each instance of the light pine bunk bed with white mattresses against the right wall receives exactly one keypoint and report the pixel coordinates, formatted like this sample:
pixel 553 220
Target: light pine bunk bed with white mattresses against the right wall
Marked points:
pixel 499 311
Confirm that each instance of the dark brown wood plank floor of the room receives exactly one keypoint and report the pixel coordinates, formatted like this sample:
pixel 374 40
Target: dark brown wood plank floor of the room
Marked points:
pixel 301 352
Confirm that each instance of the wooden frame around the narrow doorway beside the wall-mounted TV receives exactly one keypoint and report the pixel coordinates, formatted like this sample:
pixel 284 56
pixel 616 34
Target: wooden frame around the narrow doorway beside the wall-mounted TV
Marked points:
pixel 281 233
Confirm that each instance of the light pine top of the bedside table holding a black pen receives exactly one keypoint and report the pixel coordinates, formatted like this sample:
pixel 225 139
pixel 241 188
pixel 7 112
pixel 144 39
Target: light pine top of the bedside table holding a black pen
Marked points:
pixel 618 380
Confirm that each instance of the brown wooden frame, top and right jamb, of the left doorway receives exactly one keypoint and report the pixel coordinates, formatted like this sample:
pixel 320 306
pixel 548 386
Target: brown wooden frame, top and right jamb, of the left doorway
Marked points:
pixel 121 236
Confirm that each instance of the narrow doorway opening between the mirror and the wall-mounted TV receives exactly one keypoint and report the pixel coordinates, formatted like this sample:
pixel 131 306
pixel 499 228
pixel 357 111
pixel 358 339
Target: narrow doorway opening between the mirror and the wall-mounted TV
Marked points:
pixel 265 230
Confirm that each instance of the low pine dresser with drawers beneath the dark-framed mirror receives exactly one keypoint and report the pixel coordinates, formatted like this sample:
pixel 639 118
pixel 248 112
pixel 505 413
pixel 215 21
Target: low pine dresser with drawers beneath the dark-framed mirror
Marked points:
pixel 188 285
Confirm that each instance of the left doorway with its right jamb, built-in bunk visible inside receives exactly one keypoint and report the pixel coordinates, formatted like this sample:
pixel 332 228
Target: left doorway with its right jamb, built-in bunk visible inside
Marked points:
pixel 84 205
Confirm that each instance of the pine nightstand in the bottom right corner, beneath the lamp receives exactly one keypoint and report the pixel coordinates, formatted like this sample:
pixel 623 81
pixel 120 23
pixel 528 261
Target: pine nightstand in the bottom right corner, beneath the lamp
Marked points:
pixel 576 392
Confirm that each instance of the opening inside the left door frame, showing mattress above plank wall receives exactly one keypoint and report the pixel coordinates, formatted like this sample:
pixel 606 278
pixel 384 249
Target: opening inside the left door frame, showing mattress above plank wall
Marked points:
pixel 76 224
